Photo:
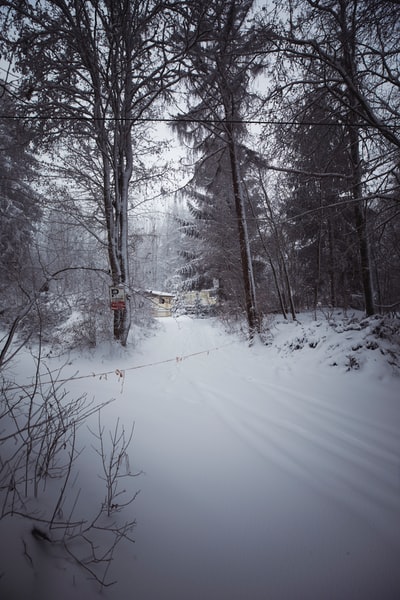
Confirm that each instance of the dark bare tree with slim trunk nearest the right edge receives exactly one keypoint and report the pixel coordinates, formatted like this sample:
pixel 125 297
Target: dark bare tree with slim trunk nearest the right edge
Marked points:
pixel 347 50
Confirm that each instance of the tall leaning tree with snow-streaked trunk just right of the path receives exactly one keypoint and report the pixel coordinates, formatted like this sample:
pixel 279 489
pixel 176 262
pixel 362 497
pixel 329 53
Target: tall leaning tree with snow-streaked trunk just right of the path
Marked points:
pixel 222 65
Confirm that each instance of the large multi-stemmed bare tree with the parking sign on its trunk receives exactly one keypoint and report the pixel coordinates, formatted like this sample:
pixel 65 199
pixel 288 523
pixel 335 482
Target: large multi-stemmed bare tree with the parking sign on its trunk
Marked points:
pixel 94 70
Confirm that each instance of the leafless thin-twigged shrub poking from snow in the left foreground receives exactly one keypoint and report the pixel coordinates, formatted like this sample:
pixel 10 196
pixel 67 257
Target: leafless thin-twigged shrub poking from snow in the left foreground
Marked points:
pixel 39 450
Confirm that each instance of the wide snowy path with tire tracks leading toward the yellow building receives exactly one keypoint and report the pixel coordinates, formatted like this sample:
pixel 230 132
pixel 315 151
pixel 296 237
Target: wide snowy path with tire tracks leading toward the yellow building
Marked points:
pixel 262 480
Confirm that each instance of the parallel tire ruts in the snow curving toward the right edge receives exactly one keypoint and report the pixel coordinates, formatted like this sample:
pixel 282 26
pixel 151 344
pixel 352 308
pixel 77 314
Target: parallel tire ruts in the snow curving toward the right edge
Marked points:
pixel 349 472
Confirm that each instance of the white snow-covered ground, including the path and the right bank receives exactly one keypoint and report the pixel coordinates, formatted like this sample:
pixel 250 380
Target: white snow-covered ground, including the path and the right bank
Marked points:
pixel 270 472
